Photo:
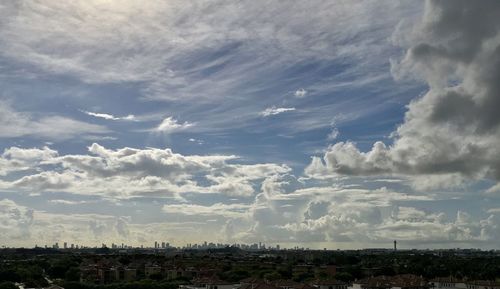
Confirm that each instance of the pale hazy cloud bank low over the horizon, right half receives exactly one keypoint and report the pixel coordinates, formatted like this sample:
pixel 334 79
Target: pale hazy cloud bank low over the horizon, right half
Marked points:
pixel 316 215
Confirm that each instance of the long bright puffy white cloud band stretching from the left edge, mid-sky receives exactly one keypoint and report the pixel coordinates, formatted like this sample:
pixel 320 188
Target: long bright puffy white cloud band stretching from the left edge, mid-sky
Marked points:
pixel 129 172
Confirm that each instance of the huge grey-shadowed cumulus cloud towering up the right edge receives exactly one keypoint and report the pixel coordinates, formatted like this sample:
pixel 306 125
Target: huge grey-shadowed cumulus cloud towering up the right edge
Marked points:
pixel 452 132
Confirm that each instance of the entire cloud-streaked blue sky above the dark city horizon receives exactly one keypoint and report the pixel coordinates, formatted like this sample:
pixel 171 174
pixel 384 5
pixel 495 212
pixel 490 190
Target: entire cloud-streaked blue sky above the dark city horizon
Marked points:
pixel 323 124
